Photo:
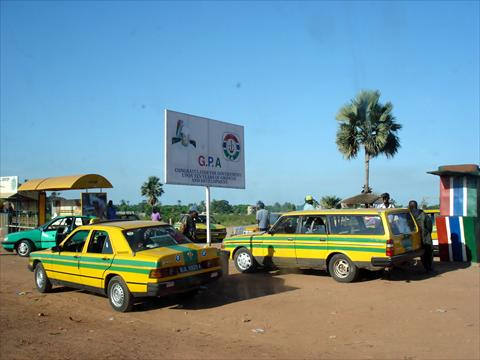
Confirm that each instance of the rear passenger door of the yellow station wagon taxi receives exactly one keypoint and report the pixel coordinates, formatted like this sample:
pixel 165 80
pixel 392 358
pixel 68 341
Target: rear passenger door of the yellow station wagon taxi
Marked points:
pixel 311 242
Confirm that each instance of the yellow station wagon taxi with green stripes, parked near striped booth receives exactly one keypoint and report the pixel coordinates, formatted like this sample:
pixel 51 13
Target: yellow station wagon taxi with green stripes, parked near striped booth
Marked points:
pixel 342 241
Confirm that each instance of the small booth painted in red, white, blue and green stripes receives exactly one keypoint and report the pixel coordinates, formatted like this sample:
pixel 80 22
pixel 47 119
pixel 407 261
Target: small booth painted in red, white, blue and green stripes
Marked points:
pixel 458 226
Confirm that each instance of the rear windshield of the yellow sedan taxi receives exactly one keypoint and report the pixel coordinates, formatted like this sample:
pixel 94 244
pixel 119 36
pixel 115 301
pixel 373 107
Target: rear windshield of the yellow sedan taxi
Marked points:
pixel 153 237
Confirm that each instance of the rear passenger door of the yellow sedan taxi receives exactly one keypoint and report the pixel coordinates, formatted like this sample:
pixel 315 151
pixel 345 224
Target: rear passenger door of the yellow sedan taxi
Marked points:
pixel 96 258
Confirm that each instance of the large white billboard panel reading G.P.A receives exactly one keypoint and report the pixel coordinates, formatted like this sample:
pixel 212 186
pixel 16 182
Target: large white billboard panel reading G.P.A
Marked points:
pixel 203 152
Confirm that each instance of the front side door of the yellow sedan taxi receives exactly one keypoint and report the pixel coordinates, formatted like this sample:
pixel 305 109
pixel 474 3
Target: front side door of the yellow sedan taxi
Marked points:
pixel 66 261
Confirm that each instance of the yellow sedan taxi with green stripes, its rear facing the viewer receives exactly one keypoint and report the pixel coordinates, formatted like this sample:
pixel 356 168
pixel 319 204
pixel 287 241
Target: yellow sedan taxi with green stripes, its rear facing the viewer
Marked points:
pixel 126 260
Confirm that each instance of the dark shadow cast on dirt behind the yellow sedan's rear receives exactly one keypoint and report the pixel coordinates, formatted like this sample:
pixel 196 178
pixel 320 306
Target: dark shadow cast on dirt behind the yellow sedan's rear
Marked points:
pixel 231 289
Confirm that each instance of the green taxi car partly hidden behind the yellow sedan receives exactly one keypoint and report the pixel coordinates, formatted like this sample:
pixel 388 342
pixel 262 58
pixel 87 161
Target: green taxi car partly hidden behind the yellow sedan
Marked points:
pixel 43 237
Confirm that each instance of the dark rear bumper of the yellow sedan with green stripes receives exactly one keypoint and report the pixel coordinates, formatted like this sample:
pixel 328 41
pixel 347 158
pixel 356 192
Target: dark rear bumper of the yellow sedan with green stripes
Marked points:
pixel 181 285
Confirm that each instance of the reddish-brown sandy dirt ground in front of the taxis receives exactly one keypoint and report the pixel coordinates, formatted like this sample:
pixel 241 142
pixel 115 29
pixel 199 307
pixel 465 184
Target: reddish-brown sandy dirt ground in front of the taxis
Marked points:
pixel 281 315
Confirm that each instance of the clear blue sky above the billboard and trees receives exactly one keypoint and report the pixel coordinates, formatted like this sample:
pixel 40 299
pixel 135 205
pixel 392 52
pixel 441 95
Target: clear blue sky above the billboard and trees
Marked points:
pixel 84 86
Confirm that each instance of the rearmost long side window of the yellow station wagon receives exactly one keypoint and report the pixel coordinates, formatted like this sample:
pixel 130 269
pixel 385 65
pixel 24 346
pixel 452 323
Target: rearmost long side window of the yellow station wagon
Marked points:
pixel 356 225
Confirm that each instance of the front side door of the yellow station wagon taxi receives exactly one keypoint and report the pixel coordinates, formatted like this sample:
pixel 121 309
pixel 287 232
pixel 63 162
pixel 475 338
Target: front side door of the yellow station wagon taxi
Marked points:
pixel 279 243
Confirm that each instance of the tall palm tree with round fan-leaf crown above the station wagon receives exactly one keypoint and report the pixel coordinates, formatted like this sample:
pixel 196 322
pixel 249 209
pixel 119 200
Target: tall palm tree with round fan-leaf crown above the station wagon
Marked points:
pixel 368 124
